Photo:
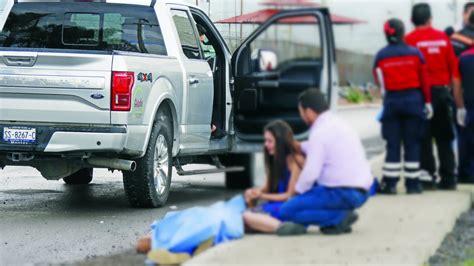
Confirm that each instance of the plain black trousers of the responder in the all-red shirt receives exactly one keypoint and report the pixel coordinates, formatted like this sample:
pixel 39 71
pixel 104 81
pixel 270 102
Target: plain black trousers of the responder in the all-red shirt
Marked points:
pixel 440 129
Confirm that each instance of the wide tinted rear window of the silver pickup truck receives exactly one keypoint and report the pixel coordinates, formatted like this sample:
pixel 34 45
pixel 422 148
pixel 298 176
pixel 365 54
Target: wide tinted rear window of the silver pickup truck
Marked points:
pixel 83 26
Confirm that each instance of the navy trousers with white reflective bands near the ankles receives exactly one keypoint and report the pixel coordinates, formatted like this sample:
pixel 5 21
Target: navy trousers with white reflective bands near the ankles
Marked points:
pixel 402 124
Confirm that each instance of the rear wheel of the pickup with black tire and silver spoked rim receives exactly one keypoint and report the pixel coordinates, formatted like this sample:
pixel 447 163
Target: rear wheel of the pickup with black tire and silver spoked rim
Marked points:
pixel 148 186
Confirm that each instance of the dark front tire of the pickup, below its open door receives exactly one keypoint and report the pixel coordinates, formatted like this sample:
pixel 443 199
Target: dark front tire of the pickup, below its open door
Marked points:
pixel 240 180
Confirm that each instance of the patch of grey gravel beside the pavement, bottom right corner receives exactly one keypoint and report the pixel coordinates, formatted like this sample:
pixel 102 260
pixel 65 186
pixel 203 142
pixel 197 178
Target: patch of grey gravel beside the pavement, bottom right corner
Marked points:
pixel 458 246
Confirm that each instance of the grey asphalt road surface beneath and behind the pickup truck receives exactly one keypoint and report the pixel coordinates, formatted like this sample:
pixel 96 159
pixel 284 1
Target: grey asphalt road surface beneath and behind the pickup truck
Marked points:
pixel 44 222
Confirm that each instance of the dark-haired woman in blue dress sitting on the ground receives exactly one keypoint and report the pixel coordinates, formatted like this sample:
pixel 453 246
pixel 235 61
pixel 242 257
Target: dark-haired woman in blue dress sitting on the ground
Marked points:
pixel 283 166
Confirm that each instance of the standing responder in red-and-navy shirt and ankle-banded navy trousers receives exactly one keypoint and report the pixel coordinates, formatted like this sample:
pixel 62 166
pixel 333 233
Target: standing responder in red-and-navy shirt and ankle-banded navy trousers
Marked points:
pixel 401 69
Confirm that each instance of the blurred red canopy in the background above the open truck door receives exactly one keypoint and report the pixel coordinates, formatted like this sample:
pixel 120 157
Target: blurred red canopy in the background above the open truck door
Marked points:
pixel 261 16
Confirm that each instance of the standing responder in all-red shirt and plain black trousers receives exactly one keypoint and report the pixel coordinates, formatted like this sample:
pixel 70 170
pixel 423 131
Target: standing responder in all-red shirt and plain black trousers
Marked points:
pixel 441 64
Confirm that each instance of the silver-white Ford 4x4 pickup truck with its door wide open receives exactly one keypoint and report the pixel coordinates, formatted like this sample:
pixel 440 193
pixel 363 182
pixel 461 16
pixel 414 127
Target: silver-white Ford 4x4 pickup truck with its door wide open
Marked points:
pixel 136 85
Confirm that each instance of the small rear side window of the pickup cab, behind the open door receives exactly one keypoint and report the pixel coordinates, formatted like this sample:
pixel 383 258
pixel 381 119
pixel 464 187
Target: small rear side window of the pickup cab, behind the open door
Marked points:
pixel 187 34
